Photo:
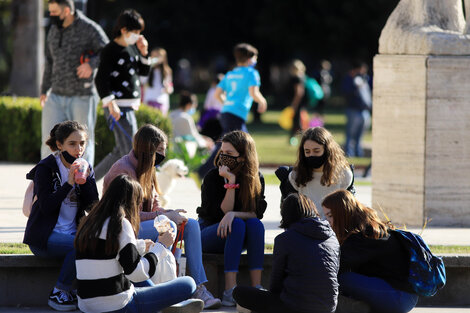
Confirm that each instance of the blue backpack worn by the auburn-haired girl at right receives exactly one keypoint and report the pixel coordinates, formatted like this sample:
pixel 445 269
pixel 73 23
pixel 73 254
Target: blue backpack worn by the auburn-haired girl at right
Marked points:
pixel 427 272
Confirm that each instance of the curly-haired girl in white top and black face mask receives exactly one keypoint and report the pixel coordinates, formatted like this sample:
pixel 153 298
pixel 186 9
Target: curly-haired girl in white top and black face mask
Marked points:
pixel 320 169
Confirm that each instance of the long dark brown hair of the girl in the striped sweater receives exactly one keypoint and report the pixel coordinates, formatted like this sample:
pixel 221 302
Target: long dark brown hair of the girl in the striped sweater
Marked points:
pixel 121 200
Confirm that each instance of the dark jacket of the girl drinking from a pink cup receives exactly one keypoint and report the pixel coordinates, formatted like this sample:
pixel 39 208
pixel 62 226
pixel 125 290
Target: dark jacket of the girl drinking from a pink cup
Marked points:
pixel 51 192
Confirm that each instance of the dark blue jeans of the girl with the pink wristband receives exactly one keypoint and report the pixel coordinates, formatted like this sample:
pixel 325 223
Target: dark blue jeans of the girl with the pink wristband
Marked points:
pixel 246 234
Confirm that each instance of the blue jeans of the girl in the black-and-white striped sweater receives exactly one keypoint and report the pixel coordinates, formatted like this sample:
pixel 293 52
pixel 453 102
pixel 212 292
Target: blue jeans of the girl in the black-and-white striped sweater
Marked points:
pixel 156 298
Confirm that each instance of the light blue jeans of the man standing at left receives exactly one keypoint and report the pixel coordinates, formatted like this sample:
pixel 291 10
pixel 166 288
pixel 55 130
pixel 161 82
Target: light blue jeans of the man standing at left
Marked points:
pixel 63 108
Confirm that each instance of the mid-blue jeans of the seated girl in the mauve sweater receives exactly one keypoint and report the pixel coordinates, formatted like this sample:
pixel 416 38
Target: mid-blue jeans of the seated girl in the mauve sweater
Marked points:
pixel 192 246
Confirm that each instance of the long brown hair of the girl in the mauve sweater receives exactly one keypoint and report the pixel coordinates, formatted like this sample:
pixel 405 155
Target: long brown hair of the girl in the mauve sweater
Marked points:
pixel 145 144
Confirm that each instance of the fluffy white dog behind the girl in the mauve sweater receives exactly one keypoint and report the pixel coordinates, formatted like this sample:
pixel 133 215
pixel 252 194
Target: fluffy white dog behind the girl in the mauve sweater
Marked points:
pixel 166 176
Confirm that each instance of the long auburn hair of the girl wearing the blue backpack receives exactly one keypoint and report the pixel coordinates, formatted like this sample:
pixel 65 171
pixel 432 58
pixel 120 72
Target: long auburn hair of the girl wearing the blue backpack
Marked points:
pixel 350 217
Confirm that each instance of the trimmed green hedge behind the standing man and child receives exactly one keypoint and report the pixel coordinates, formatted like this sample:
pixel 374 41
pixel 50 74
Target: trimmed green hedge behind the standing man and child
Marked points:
pixel 20 129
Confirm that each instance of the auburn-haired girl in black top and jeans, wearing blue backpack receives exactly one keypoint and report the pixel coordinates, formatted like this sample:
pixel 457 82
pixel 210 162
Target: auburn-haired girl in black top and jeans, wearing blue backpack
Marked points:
pixel 374 266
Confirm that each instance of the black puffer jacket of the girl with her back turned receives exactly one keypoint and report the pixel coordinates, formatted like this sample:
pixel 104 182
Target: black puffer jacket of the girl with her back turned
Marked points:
pixel 305 266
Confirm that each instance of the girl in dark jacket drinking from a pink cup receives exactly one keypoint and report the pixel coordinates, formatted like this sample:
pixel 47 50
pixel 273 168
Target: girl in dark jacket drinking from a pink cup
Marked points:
pixel 60 204
